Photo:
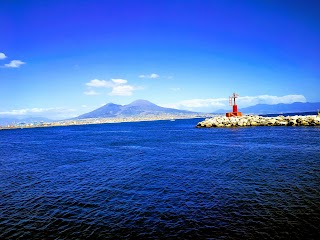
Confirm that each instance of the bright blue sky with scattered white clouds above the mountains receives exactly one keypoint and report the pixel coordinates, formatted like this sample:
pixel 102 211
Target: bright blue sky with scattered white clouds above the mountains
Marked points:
pixel 60 59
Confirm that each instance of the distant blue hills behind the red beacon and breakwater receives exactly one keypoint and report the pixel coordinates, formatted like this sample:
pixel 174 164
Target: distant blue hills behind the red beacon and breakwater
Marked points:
pixel 278 108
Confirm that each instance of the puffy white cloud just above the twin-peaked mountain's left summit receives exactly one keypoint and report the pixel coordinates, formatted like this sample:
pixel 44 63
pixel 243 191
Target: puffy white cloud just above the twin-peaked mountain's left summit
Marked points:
pixel 119 87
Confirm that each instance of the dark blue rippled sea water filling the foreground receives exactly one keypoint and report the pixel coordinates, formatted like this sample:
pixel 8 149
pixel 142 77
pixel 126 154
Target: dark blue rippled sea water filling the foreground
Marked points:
pixel 160 180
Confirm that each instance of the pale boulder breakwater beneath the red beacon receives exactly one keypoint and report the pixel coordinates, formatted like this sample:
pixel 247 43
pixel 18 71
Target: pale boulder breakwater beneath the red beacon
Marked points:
pixel 250 120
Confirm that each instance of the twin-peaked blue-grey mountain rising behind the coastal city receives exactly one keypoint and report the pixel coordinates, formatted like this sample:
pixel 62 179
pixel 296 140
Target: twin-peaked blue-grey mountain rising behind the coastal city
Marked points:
pixel 136 108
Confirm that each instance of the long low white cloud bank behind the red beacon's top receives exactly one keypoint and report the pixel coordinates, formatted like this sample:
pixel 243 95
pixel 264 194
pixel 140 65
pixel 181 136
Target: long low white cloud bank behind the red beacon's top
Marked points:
pixel 212 104
